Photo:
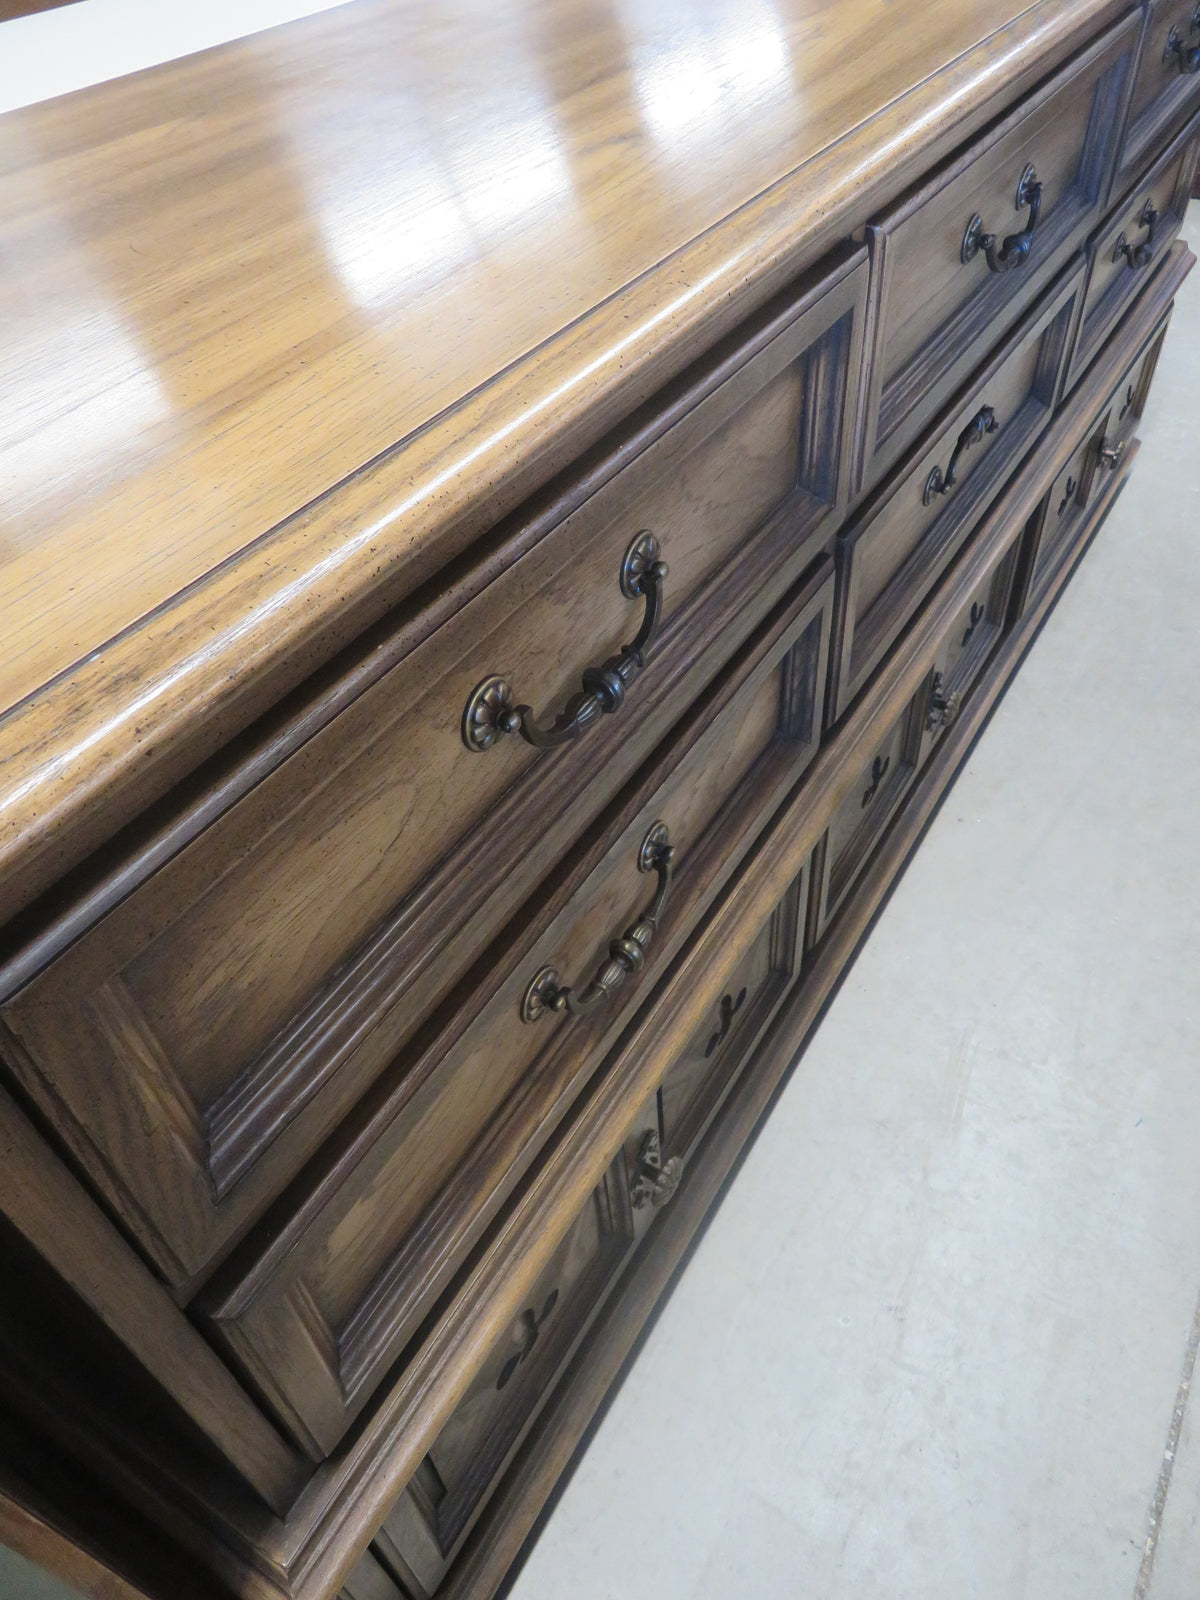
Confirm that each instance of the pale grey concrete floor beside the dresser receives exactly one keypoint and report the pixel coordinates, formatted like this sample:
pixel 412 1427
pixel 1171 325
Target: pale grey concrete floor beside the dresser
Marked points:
pixel 937 1340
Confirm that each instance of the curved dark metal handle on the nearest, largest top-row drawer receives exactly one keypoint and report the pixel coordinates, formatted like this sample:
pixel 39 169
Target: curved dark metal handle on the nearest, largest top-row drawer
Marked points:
pixel 492 710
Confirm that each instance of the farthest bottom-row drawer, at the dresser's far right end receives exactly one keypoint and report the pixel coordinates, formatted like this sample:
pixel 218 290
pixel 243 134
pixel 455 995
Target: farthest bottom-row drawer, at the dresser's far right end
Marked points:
pixel 1062 518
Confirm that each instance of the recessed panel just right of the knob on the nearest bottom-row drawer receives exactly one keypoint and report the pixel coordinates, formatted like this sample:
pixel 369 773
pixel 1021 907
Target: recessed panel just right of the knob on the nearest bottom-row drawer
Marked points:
pixel 710 1065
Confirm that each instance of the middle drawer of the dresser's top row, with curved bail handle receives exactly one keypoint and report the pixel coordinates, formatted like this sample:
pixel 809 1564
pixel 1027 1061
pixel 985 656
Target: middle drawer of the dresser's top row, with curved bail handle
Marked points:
pixel 958 262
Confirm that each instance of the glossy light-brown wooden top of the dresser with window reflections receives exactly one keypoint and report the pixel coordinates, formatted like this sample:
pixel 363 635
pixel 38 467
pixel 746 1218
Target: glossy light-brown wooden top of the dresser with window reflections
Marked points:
pixel 446 241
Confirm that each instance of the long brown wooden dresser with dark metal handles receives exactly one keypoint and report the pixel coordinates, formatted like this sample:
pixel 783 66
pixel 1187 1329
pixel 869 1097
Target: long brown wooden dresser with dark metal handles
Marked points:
pixel 514 518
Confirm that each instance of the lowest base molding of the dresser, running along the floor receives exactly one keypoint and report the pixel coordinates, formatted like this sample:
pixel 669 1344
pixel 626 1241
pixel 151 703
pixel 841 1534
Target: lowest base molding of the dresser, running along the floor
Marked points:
pixel 543 1468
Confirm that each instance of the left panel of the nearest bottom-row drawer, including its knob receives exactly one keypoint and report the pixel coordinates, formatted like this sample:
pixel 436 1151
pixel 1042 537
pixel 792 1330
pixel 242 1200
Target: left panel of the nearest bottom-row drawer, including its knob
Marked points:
pixel 425 1529
